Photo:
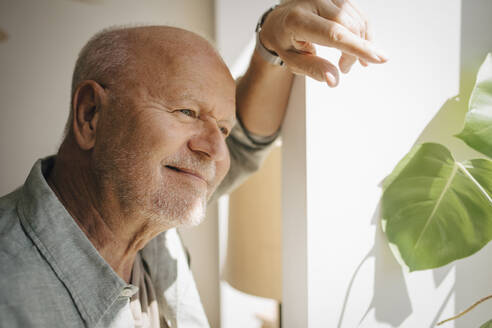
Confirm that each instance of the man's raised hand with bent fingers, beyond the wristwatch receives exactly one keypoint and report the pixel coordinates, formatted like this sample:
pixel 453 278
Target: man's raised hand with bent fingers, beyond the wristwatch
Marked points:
pixel 291 29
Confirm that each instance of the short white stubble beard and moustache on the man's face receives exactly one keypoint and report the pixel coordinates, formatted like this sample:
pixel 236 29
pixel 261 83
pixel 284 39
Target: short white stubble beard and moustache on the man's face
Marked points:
pixel 165 199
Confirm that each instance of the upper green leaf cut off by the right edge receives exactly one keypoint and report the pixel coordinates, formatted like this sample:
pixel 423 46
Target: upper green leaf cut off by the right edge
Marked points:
pixel 477 132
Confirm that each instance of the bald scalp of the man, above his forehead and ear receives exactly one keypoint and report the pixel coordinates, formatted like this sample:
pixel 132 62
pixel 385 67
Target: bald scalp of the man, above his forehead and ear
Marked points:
pixel 126 57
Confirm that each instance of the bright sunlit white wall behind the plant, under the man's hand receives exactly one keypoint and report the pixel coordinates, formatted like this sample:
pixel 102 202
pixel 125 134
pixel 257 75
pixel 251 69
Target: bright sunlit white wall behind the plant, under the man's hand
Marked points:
pixel 338 269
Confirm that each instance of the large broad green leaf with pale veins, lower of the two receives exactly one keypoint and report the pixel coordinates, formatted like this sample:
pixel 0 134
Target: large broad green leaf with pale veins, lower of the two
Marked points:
pixel 436 210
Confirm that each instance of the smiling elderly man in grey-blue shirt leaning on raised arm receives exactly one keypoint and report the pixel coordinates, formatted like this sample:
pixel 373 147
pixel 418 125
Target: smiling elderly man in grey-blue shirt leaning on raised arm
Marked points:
pixel 90 240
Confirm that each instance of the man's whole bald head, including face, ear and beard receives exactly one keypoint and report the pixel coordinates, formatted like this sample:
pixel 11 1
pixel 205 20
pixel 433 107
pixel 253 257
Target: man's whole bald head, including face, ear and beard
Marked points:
pixel 151 110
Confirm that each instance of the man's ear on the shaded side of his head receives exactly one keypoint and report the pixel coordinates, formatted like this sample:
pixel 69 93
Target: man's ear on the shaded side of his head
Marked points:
pixel 88 99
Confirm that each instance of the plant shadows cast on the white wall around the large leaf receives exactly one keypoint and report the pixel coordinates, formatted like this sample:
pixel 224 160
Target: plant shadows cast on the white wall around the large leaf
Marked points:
pixel 389 280
